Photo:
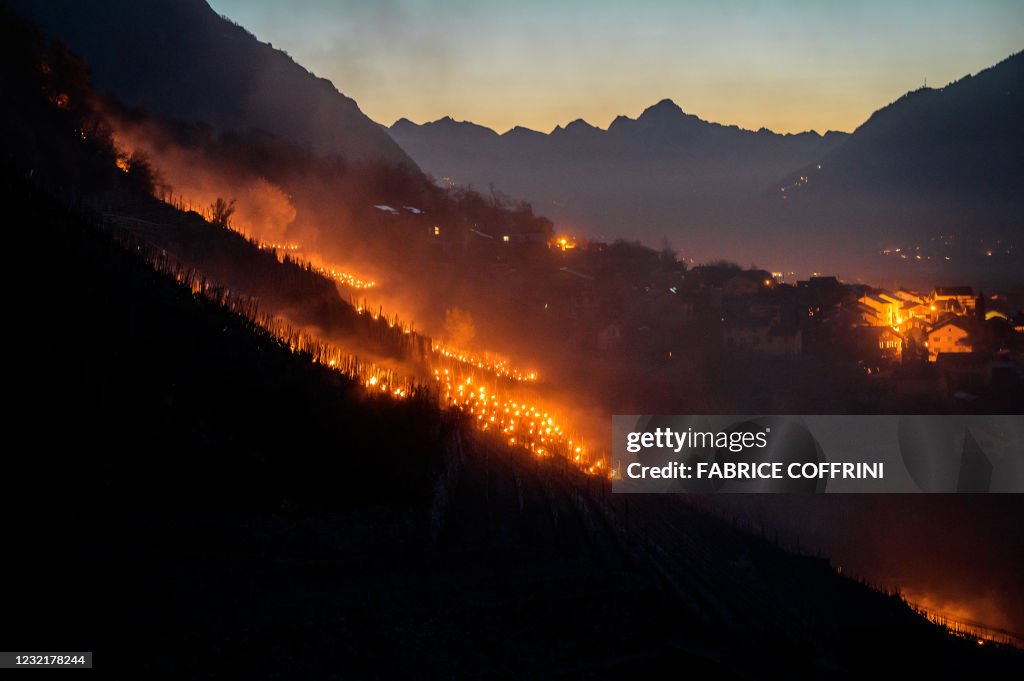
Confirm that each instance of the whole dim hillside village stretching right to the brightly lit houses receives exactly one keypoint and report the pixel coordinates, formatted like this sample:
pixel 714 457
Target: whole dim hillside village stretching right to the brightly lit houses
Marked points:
pixel 942 348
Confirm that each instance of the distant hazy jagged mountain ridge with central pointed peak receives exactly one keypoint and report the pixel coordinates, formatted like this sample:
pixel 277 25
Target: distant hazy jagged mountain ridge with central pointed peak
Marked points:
pixel 642 178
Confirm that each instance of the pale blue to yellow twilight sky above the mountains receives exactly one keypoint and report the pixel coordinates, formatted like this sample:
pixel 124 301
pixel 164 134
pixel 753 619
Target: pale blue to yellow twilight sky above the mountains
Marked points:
pixel 786 65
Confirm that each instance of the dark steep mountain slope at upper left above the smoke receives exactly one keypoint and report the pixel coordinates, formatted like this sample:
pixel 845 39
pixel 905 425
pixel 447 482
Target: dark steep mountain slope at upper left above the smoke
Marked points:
pixel 181 59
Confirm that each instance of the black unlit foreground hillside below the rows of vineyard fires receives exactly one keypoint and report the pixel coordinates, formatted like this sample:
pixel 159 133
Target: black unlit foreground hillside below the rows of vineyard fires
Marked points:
pixel 187 499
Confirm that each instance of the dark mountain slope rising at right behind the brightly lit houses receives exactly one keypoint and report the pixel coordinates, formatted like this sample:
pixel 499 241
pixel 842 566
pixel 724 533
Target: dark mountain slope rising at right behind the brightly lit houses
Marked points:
pixel 929 188
